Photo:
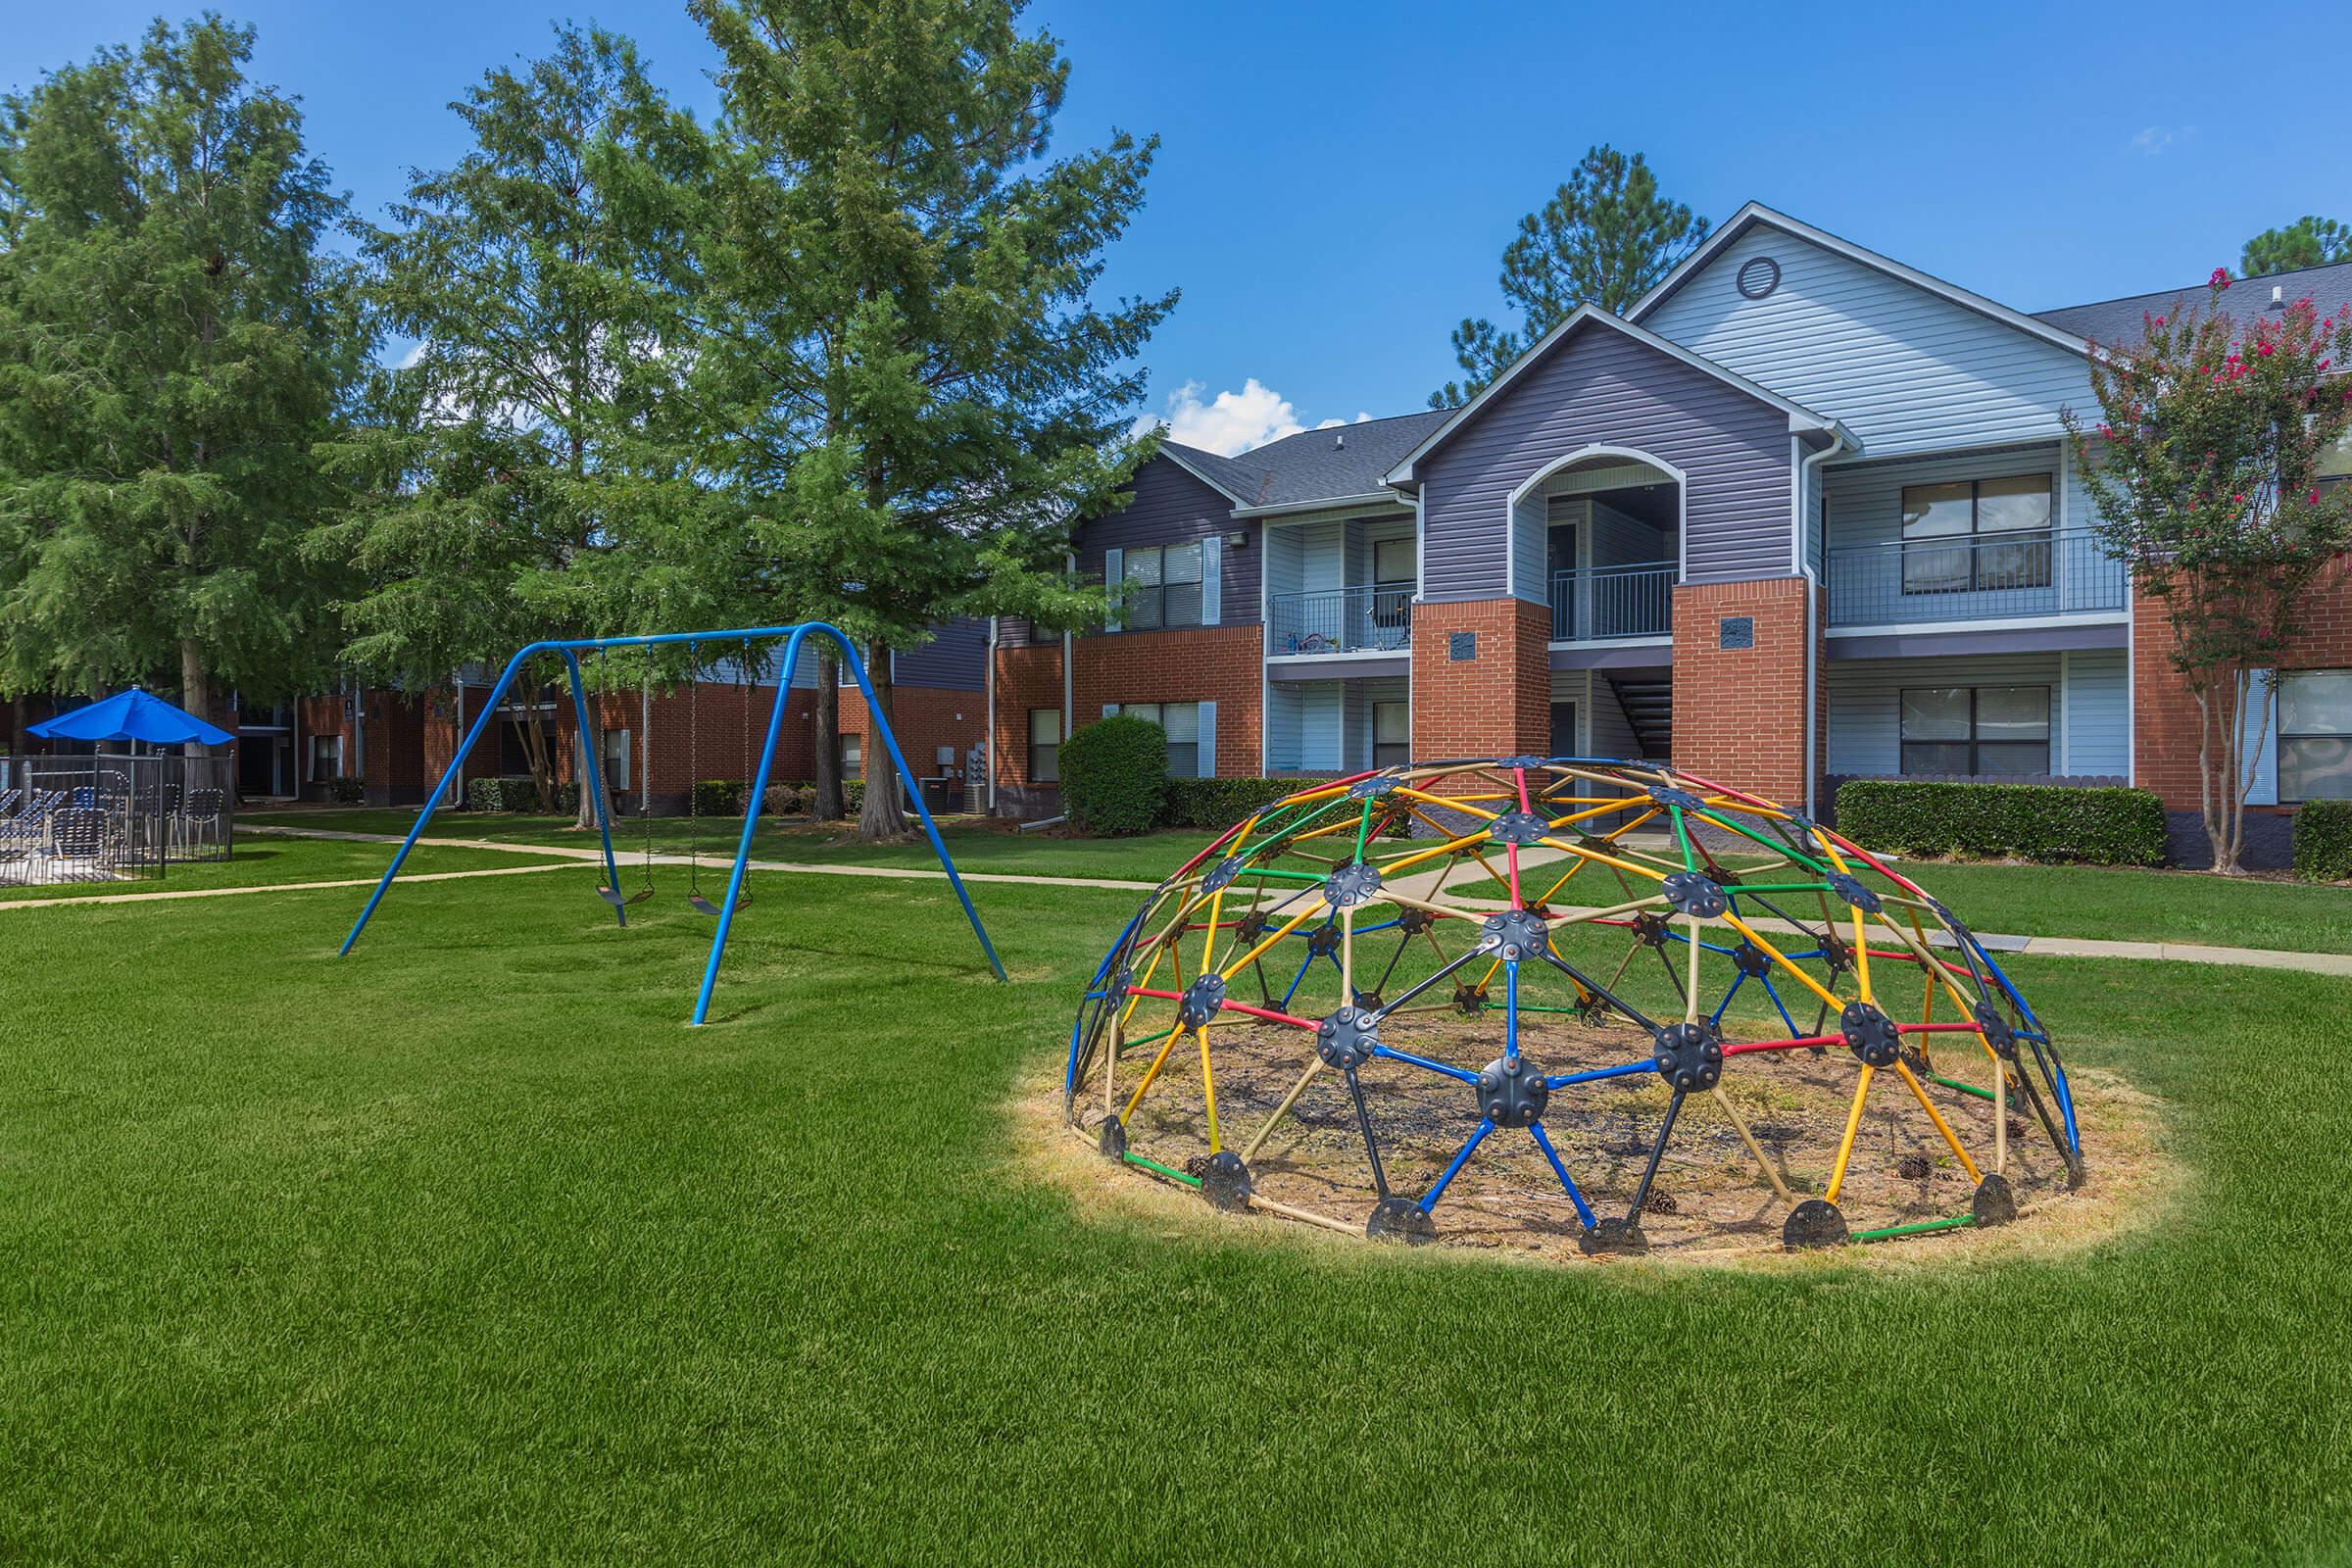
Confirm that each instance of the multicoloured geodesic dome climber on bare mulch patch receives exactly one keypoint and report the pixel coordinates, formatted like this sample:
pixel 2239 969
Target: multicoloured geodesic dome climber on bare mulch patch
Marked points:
pixel 1568 1003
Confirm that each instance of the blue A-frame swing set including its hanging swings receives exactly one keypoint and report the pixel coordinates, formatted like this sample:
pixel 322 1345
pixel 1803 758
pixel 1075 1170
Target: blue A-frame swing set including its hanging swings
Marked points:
pixel 756 789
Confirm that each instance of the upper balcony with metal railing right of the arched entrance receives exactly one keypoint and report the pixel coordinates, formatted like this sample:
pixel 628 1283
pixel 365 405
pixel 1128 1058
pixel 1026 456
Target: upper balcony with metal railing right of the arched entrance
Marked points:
pixel 1989 577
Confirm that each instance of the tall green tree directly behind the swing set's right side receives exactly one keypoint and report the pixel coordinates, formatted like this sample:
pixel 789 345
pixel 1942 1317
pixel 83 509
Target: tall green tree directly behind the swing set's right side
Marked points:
pixel 902 347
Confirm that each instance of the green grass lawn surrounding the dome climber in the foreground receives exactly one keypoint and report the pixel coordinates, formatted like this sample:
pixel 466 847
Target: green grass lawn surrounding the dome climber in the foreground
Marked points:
pixel 467 1249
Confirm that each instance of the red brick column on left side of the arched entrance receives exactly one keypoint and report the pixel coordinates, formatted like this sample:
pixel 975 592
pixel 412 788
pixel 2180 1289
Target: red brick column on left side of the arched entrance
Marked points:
pixel 1488 697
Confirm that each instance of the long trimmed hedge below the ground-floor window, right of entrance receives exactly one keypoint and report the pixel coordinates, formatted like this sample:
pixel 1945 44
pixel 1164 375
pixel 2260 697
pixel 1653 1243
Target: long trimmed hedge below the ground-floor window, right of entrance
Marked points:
pixel 2054 824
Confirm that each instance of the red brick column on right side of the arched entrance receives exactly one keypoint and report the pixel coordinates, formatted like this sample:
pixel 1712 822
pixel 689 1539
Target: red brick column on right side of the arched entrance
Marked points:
pixel 1739 692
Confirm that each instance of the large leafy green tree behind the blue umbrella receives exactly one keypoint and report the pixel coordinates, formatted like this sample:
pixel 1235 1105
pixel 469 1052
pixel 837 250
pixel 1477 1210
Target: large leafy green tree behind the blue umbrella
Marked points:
pixel 173 342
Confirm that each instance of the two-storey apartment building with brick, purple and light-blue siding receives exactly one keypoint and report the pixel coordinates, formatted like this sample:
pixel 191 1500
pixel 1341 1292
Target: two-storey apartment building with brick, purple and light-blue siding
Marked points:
pixel 1800 516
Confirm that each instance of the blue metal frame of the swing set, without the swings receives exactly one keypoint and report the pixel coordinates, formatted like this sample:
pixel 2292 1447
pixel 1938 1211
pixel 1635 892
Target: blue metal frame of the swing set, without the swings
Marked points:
pixel 759 786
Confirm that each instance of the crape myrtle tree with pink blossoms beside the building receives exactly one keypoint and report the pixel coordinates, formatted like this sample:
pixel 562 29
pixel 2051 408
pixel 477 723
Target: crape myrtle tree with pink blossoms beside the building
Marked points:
pixel 2205 467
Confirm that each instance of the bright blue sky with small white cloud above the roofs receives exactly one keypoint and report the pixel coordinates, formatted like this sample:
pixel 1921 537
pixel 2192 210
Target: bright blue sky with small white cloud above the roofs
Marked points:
pixel 1337 180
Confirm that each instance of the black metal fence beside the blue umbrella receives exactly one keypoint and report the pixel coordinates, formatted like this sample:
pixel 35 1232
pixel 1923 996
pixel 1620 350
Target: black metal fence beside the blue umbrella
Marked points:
pixel 112 817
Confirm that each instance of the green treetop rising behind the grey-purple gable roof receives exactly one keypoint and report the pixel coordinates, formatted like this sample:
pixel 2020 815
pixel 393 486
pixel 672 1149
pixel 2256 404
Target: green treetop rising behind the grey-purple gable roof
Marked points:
pixel 1603 239
